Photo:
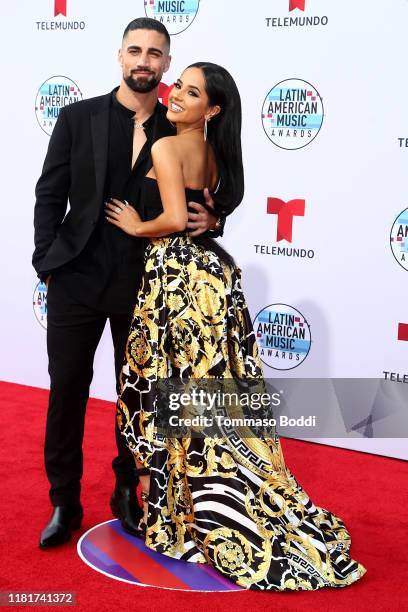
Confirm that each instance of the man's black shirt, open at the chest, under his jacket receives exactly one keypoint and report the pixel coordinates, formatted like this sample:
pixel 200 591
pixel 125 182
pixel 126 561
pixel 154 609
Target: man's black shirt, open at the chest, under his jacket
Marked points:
pixel 107 273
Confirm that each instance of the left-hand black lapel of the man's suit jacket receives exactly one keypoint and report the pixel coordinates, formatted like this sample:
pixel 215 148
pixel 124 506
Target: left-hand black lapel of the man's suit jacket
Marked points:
pixel 100 142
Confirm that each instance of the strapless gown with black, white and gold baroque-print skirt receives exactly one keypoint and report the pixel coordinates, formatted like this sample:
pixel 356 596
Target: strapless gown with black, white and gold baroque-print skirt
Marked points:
pixel 233 505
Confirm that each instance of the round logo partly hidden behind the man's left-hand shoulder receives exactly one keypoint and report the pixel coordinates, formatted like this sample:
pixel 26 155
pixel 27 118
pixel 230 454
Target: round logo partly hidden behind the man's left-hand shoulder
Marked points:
pixel 55 93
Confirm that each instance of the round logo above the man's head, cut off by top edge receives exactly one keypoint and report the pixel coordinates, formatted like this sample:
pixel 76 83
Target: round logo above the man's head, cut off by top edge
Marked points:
pixel 176 15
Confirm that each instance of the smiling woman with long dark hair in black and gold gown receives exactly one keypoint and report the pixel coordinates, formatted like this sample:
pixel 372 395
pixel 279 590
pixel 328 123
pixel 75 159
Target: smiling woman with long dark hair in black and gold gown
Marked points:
pixel 227 501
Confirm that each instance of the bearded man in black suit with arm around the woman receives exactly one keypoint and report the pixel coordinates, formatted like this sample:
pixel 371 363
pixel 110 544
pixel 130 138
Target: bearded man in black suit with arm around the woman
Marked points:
pixel 100 148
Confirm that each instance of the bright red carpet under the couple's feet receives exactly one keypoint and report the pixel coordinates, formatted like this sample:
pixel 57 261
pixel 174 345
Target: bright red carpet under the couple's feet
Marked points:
pixel 369 492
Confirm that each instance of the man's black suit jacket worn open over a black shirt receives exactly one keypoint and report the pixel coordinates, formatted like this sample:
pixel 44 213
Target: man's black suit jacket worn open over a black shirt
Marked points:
pixel 75 170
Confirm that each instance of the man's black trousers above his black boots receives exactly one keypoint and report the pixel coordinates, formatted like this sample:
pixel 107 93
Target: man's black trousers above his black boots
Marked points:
pixel 73 334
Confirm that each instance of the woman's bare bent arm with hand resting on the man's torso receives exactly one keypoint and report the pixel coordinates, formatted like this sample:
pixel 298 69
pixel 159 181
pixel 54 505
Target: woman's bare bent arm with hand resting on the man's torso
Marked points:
pixel 169 173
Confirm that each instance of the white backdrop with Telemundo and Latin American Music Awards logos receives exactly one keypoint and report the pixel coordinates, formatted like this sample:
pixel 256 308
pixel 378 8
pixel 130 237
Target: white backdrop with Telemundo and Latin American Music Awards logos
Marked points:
pixel 322 234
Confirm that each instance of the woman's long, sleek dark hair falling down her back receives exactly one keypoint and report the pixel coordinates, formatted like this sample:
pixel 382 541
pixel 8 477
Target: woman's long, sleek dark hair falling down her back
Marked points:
pixel 224 134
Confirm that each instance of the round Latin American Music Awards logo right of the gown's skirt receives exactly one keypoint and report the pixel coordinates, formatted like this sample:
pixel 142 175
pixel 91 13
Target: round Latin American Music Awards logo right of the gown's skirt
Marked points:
pixel 283 336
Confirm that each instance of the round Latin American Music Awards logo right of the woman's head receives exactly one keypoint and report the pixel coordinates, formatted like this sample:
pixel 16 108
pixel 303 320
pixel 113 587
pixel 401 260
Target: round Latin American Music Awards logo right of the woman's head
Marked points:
pixel 292 114
